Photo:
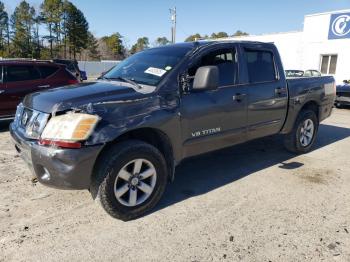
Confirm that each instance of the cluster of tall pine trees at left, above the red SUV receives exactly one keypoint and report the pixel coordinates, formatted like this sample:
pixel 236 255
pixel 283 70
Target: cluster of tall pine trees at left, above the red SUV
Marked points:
pixel 66 25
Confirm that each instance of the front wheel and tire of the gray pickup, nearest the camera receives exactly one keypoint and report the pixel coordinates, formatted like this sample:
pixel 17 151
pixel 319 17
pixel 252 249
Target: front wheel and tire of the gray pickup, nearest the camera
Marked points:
pixel 129 179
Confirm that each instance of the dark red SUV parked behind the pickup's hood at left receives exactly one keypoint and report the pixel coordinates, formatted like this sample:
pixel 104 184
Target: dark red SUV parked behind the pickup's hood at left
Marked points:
pixel 19 78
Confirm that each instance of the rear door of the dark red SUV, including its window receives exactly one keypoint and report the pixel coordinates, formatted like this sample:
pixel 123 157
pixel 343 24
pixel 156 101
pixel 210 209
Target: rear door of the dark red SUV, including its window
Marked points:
pixel 20 80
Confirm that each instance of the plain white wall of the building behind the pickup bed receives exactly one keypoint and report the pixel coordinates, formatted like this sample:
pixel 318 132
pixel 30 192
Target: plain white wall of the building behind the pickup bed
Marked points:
pixel 303 50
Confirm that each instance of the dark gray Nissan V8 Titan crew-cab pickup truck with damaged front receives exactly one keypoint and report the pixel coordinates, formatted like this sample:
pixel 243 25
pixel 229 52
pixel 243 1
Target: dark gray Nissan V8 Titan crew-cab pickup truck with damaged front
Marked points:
pixel 122 136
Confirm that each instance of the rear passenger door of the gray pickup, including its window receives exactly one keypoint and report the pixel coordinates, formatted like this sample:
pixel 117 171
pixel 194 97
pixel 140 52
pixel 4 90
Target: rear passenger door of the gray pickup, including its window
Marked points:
pixel 268 93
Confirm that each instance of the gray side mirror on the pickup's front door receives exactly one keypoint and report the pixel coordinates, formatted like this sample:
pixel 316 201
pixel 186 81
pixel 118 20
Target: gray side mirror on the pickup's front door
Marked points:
pixel 206 78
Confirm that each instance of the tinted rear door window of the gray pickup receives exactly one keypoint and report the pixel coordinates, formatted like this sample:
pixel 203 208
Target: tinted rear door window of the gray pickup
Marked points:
pixel 261 66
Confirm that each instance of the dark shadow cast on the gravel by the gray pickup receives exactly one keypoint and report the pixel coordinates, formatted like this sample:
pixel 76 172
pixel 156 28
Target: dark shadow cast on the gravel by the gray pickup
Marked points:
pixel 203 174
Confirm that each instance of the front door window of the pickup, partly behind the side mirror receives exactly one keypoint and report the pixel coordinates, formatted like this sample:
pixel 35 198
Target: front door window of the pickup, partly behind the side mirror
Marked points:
pixel 224 59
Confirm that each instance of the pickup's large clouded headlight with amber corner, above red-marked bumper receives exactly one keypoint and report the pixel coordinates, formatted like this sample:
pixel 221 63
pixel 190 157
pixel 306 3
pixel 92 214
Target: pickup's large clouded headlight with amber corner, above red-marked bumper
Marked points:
pixel 71 127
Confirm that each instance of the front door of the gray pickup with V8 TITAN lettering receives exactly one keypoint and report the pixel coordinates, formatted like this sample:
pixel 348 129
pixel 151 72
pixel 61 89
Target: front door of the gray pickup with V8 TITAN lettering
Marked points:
pixel 213 119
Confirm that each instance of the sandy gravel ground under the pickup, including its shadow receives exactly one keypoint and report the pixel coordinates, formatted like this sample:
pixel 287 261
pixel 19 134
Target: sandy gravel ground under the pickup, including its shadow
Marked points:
pixel 253 202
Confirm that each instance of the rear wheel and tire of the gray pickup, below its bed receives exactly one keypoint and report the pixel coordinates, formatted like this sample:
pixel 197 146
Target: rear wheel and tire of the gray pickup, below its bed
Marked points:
pixel 302 137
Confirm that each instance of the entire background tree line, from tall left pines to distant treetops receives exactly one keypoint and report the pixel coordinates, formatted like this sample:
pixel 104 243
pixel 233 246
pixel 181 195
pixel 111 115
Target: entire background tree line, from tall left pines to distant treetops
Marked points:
pixel 66 34
